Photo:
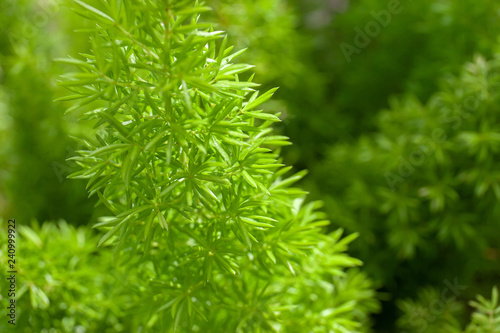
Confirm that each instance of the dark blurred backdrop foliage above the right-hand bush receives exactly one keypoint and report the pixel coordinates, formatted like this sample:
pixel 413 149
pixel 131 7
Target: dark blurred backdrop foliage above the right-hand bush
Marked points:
pixel 327 98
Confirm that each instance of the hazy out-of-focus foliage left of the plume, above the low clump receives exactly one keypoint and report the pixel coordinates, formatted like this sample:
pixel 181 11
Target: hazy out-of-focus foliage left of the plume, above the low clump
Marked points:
pixel 34 133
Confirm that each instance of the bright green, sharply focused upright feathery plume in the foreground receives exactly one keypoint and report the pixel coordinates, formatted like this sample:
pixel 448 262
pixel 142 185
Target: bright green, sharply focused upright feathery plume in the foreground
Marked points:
pixel 187 163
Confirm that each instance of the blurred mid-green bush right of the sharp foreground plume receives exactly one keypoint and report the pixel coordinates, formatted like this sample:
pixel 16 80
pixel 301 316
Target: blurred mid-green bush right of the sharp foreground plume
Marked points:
pixel 428 176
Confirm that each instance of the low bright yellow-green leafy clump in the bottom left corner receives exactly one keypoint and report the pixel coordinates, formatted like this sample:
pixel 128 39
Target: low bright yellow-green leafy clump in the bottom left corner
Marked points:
pixel 63 283
